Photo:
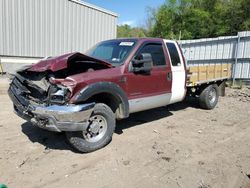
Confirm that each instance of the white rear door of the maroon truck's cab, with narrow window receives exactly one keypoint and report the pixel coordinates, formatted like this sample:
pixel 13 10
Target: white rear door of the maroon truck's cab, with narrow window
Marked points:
pixel 178 71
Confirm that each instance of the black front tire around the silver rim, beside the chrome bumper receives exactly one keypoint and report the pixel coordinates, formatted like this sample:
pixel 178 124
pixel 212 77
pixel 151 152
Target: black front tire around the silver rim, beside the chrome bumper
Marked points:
pixel 83 144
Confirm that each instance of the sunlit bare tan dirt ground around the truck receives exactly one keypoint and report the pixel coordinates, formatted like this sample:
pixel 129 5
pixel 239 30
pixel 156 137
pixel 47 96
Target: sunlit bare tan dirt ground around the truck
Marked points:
pixel 176 146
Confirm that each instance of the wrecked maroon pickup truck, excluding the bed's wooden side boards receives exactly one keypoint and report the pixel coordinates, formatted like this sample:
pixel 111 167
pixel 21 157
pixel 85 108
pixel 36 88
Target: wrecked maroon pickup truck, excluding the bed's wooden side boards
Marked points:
pixel 84 94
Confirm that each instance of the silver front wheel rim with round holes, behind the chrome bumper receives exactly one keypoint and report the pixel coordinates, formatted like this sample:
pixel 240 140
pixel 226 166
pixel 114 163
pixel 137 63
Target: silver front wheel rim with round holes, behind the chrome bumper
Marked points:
pixel 96 129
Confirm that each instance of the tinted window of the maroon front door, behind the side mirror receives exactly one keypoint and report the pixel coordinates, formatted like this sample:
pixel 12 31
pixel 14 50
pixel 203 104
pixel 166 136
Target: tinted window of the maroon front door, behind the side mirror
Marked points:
pixel 156 52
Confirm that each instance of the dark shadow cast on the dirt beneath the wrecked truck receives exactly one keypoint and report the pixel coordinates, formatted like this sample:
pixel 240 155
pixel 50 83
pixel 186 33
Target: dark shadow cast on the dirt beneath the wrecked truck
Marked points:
pixel 57 141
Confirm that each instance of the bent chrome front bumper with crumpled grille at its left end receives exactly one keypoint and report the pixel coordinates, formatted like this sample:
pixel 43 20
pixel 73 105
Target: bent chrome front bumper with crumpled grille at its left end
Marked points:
pixel 55 117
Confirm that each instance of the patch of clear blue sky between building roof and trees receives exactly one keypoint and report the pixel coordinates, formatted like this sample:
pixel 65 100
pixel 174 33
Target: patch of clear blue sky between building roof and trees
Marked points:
pixel 131 12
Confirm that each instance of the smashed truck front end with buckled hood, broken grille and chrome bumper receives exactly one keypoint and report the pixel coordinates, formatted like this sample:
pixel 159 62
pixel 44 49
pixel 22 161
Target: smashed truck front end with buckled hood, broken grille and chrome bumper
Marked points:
pixel 39 97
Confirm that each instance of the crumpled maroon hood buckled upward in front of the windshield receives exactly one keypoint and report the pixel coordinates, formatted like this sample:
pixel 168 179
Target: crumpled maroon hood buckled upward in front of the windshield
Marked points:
pixel 61 62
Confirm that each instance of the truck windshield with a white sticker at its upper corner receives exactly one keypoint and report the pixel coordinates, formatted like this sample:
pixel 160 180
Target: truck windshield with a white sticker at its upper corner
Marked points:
pixel 114 51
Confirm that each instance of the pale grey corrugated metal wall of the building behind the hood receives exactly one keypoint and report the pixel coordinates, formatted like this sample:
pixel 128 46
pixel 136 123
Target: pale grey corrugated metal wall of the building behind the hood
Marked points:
pixel 39 28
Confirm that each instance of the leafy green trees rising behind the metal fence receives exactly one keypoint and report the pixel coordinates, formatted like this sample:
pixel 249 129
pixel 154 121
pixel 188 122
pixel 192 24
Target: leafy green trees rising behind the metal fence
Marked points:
pixel 200 18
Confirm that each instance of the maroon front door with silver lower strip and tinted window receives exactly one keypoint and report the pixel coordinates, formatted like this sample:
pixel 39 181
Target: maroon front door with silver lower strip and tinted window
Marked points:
pixel 152 90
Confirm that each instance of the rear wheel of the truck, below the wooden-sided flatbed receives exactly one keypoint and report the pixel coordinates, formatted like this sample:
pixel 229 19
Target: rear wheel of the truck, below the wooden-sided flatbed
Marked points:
pixel 209 97
